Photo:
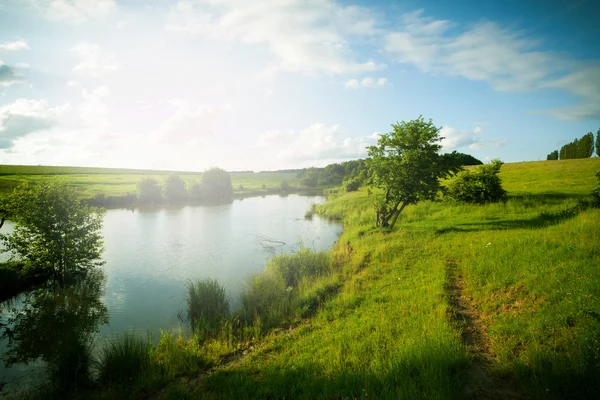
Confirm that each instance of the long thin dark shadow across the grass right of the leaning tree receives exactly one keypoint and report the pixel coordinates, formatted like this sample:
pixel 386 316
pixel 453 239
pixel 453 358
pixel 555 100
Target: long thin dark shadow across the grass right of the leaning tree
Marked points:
pixel 543 220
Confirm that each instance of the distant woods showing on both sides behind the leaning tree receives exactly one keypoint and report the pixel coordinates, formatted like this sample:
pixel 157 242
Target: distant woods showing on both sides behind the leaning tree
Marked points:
pixel 352 174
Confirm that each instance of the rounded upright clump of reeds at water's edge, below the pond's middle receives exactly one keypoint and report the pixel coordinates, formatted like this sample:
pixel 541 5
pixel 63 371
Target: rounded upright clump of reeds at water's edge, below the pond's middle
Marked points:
pixel 207 306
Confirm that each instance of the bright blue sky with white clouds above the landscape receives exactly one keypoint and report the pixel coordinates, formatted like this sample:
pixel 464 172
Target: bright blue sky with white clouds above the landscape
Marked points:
pixel 281 84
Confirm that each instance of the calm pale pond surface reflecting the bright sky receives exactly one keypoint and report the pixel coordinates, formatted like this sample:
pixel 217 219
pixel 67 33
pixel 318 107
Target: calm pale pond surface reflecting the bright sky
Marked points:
pixel 152 253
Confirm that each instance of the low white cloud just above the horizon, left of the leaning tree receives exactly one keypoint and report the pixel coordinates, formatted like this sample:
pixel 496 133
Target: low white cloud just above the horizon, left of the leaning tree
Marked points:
pixel 318 143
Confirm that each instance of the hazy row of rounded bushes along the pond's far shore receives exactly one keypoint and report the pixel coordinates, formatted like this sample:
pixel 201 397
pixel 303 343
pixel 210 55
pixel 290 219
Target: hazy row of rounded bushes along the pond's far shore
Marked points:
pixel 214 187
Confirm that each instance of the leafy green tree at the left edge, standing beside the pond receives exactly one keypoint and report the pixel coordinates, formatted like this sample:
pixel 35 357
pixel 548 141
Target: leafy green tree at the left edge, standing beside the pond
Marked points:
pixel 54 232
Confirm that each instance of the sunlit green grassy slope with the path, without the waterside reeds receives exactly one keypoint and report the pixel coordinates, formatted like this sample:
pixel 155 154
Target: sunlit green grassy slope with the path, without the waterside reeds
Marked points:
pixel 459 301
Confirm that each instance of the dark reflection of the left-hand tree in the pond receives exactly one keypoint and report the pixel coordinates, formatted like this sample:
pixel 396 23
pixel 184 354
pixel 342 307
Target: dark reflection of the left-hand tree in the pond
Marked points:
pixel 57 326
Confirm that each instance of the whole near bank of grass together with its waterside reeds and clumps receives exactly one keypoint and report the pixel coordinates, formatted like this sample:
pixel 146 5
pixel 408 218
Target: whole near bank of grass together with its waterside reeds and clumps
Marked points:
pixel 495 300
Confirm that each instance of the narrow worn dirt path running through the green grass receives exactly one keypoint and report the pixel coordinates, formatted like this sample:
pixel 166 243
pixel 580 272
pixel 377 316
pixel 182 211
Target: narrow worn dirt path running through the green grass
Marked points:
pixel 482 381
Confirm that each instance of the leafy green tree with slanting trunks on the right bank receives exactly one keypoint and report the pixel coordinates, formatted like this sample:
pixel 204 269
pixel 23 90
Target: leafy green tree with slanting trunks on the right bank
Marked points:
pixel 406 166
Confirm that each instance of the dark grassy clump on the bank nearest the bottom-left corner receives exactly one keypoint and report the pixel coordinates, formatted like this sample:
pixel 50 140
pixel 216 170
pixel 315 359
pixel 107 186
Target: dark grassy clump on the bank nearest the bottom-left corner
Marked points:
pixel 124 359
